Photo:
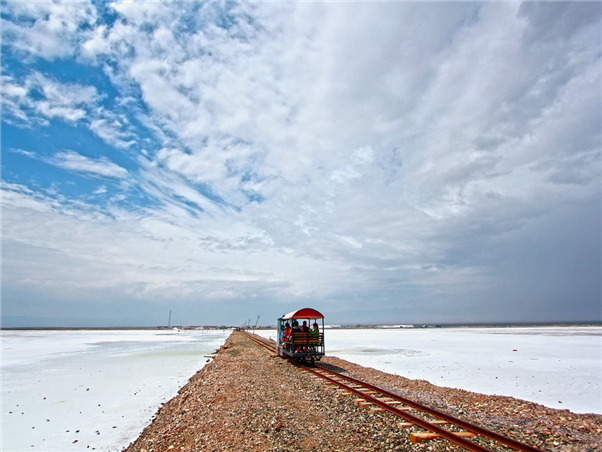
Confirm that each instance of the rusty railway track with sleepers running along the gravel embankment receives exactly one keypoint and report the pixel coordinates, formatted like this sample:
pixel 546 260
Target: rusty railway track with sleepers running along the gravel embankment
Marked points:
pixel 436 423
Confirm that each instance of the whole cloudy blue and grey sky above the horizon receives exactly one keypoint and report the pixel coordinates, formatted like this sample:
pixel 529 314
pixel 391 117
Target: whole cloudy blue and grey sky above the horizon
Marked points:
pixel 382 162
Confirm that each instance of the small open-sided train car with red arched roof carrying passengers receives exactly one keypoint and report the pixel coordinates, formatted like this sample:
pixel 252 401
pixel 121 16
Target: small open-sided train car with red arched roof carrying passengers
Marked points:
pixel 293 342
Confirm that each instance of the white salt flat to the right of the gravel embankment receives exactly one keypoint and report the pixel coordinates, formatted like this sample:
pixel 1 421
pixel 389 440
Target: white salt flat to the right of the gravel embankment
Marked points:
pixel 559 367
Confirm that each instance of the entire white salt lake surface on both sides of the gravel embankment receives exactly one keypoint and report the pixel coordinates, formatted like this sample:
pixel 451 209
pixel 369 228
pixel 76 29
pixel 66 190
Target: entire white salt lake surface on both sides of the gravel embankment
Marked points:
pixel 97 390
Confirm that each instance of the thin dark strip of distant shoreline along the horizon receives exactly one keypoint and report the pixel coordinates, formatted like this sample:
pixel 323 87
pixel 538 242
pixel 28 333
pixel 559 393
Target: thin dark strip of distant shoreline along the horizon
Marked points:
pixel 337 327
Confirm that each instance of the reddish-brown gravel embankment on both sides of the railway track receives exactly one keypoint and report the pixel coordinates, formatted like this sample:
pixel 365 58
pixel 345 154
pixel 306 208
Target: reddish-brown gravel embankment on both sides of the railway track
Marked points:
pixel 249 399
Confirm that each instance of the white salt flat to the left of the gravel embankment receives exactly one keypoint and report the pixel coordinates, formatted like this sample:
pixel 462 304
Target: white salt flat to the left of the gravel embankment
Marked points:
pixel 67 390
